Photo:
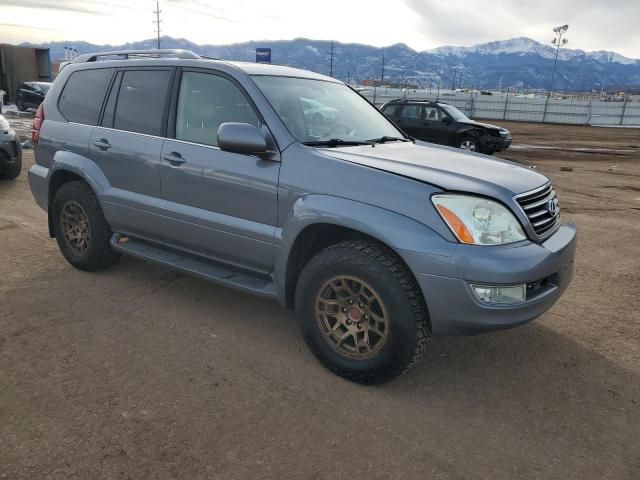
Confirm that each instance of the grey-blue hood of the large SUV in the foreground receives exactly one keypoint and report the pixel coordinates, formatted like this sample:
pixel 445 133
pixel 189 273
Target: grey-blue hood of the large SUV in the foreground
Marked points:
pixel 444 167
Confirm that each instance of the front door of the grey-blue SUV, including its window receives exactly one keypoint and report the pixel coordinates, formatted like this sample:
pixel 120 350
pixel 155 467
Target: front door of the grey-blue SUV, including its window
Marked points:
pixel 222 205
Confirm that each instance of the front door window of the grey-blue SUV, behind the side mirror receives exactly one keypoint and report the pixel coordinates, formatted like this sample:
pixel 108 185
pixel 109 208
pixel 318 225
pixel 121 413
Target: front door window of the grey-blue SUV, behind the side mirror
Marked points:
pixel 205 102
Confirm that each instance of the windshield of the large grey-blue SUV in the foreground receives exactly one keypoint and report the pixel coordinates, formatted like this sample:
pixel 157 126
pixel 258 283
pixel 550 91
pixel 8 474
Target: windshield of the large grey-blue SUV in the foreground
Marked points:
pixel 317 111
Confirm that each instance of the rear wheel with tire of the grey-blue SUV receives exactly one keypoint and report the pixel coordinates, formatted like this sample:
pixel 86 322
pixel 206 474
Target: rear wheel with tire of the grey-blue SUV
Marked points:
pixel 80 228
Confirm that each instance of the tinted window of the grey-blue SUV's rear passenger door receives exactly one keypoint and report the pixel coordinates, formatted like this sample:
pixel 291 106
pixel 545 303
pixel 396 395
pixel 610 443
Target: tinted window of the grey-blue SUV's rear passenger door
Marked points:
pixel 142 101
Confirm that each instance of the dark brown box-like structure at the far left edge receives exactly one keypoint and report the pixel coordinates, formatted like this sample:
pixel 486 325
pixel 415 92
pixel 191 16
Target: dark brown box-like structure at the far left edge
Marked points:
pixel 22 64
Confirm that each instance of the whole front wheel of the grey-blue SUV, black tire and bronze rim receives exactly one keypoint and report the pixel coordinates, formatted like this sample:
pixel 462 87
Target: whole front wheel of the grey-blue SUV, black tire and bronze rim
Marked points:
pixel 361 312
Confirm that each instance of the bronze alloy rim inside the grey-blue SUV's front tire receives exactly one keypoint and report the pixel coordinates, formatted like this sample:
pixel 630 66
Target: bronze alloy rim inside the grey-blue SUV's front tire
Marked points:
pixel 352 317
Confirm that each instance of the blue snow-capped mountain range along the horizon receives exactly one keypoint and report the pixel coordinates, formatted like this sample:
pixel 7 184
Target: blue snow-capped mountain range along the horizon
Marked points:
pixel 519 62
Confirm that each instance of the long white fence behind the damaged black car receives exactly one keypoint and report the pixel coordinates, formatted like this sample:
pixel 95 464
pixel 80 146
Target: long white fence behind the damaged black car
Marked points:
pixel 521 108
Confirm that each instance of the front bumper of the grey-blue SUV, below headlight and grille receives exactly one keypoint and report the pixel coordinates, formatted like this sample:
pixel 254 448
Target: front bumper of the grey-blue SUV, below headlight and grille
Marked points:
pixel 455 310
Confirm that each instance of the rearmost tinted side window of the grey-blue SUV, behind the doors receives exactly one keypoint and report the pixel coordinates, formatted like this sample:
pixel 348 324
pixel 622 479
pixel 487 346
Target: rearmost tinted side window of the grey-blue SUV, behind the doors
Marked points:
pixel 83 94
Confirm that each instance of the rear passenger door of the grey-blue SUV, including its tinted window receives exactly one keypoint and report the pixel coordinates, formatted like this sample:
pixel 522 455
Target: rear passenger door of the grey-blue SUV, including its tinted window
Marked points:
pixel 126 147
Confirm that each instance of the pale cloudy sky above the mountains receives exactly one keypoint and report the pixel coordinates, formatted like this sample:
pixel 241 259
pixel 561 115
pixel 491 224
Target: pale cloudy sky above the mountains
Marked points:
pixel 421 24
